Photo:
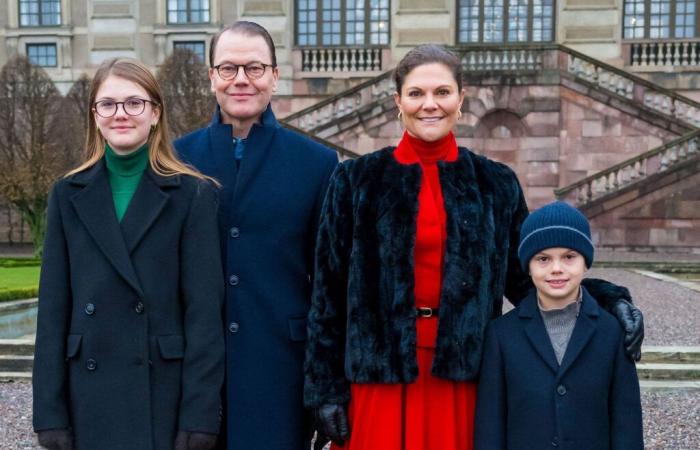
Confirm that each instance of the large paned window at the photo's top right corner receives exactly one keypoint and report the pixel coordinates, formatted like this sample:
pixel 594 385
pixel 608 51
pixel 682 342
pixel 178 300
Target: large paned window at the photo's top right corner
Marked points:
pixel 660 19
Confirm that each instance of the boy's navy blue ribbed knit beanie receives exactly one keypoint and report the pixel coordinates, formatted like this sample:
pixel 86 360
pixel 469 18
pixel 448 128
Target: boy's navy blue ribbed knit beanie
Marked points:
pixel 555 225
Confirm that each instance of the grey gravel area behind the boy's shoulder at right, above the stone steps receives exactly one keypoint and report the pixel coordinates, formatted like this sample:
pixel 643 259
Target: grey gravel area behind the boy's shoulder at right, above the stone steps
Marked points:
pixel 671 312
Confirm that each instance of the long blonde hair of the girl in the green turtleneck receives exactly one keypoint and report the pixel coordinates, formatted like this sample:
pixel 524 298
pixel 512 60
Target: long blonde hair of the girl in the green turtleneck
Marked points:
pixel 161 155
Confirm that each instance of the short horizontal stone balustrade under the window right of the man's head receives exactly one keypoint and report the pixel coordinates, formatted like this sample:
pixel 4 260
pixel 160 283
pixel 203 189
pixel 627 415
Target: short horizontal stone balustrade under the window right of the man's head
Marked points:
pixel 341 59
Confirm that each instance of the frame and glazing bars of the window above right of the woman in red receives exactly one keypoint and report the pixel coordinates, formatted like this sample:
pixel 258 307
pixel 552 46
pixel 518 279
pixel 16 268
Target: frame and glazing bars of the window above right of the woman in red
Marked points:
pixel 505 30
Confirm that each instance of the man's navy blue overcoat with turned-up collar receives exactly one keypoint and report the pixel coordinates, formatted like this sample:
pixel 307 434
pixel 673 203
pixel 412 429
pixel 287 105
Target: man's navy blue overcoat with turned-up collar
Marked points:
pixel 268 216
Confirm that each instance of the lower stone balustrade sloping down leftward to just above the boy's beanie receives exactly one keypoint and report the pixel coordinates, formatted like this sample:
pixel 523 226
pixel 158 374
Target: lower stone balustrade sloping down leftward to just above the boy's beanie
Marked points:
pixel 633 170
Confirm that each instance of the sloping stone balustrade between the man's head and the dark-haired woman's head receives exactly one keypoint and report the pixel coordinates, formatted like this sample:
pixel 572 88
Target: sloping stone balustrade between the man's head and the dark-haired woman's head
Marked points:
pixel 348 103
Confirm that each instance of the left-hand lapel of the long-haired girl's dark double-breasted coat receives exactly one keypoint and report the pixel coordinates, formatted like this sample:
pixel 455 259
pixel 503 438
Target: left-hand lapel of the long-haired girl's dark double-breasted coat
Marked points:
pixel 95 209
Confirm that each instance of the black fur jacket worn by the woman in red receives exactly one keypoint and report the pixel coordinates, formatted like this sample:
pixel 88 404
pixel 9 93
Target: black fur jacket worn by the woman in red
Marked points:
pixel 362 321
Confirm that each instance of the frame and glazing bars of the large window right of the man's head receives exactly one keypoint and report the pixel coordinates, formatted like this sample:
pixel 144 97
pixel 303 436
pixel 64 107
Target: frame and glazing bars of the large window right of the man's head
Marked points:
pixel 343 30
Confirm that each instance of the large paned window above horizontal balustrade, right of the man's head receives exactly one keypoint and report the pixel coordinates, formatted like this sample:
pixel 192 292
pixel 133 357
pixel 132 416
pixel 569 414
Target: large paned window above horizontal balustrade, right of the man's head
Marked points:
pixel 342 22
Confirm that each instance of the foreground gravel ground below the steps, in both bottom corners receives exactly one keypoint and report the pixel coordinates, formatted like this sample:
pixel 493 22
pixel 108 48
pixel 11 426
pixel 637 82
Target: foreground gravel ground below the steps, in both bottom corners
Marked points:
pixel 670 419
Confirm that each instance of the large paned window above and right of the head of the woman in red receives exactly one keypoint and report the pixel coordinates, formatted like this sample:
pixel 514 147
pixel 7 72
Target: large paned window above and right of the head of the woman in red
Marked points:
pixel 505 21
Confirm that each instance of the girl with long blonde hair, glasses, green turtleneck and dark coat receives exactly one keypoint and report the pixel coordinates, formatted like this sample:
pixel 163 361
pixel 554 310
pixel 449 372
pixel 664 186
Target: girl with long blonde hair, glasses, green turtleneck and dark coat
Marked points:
pixel 129 344
